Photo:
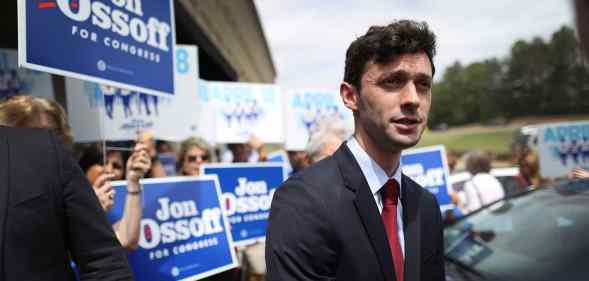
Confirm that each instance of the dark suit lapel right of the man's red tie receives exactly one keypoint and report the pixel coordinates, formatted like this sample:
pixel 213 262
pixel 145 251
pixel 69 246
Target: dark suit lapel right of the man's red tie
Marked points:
pixel 412 228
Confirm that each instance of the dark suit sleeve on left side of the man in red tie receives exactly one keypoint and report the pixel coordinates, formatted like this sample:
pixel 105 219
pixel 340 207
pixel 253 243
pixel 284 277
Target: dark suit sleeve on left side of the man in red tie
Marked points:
pixel 299 241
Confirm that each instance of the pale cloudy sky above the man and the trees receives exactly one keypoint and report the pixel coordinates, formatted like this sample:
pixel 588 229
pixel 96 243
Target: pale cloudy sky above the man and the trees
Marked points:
pixel 308 38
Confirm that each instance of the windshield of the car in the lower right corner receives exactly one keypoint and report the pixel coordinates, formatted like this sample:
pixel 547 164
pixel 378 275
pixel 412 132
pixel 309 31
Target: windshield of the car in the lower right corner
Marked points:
pixel 538 235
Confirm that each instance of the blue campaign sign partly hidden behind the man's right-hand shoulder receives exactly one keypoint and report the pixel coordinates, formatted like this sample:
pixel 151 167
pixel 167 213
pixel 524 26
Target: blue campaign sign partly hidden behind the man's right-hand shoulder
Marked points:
pixel 428 167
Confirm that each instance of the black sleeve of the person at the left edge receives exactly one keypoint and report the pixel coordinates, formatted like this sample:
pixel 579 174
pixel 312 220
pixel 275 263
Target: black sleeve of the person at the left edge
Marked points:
pixel 90 237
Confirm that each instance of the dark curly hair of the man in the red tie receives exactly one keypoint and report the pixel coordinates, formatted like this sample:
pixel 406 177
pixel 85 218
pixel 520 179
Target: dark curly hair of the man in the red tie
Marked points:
pixel 383 44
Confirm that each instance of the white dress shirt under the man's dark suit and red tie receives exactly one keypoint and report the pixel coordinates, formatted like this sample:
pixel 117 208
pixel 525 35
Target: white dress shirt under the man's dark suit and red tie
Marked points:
pixel 376 178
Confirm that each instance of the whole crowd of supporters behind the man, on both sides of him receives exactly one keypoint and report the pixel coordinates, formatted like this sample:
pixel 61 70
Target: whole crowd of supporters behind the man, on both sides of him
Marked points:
pixel 130 161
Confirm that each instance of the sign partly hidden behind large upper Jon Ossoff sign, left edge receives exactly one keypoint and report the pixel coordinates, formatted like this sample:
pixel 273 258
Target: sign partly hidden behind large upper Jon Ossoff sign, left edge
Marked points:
pixel 21 81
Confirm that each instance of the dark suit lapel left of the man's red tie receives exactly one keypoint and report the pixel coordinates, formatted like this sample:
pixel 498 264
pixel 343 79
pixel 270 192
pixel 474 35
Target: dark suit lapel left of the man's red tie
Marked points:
pixel 367 209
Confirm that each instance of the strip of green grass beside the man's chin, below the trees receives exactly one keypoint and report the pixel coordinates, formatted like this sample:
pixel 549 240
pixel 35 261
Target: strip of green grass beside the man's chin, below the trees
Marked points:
pixel 491 140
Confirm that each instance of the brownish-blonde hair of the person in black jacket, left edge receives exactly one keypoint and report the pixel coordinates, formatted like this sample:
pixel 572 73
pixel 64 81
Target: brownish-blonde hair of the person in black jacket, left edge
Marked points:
pixel 27 112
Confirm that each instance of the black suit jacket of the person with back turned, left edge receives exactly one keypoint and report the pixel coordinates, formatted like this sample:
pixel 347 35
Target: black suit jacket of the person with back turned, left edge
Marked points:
pixel 49 213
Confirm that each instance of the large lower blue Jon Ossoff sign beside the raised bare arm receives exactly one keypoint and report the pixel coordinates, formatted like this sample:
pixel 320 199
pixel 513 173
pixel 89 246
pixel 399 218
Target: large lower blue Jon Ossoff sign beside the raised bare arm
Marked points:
pixel 184 232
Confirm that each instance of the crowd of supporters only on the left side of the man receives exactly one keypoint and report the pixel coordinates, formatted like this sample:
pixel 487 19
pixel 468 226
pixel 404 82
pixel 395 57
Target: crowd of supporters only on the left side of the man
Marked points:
pixel 130 161
